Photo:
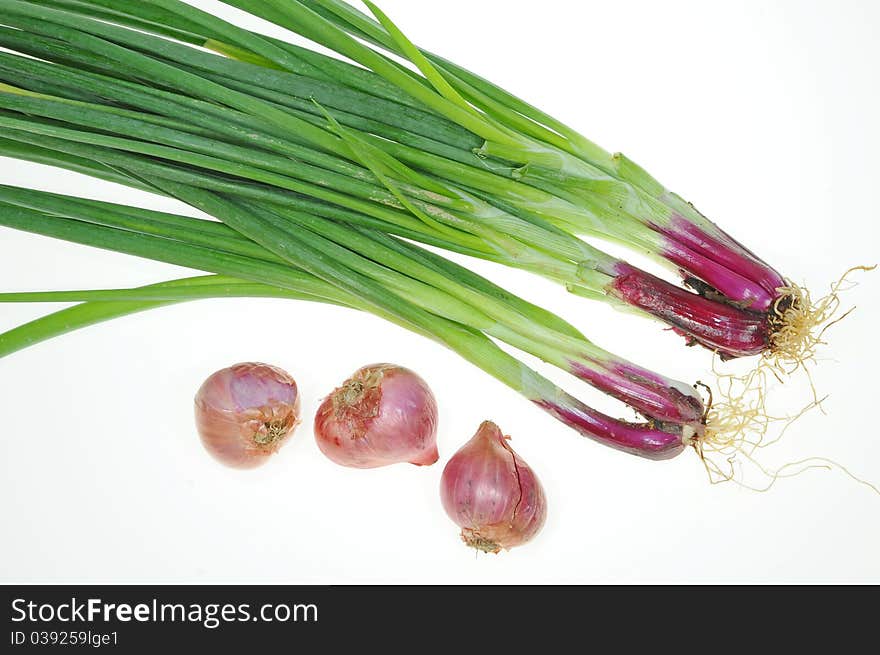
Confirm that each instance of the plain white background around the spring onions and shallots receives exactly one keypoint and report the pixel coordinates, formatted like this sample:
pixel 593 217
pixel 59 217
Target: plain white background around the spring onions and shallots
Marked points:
pixel 762 113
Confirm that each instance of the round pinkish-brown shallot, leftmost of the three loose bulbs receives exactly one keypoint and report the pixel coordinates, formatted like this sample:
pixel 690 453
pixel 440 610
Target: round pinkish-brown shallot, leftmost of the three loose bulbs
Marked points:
pixel 245 413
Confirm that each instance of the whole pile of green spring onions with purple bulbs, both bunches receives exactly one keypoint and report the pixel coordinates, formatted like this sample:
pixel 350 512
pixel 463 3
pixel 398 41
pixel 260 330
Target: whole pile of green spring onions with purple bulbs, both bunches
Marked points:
pixel 317 168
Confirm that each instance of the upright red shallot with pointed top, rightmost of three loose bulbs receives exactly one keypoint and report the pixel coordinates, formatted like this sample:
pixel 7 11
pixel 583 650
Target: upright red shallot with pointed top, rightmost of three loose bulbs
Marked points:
pixel 492 494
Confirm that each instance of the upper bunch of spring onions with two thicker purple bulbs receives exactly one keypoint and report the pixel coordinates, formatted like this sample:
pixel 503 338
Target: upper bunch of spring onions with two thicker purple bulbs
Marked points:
pixel 408 151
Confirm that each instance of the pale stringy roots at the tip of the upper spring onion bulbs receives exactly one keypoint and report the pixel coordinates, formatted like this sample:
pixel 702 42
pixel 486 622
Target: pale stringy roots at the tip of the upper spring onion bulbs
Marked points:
pixel 798 323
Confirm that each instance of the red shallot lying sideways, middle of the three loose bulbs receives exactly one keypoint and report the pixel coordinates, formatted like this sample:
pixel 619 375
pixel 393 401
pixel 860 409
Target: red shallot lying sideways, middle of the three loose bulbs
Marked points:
pixel 383 415
